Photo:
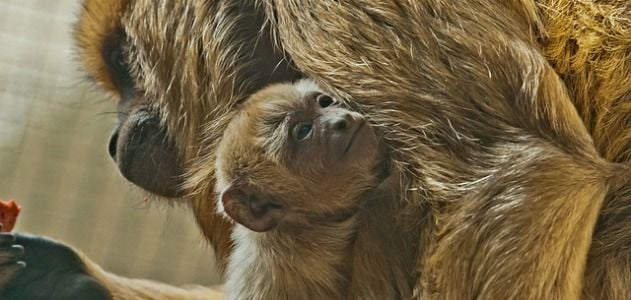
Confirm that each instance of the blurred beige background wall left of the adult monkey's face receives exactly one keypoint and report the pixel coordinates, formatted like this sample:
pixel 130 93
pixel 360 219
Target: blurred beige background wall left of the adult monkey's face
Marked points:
pixel 53 132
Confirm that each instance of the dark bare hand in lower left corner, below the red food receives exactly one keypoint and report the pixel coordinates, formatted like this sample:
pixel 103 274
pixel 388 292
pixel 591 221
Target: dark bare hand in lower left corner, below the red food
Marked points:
pixel 52 271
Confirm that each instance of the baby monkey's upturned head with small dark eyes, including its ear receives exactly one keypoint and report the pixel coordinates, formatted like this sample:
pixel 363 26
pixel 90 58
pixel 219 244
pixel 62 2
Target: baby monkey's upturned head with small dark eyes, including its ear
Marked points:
pixel 293 154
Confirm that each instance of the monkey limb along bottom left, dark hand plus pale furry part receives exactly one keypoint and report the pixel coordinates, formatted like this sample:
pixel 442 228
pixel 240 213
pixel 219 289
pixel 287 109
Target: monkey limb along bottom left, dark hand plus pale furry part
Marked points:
pixel 58 271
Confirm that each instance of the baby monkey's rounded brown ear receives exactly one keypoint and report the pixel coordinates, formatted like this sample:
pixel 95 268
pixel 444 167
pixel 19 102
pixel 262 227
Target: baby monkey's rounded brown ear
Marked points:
pixel 254 210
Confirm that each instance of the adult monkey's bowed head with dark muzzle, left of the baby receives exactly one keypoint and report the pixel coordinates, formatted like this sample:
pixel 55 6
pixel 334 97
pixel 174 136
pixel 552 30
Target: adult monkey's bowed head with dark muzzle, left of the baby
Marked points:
pixel 176 68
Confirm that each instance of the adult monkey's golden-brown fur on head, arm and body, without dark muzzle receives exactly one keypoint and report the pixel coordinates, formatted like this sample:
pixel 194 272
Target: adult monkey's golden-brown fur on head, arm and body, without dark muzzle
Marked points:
pixel 499 157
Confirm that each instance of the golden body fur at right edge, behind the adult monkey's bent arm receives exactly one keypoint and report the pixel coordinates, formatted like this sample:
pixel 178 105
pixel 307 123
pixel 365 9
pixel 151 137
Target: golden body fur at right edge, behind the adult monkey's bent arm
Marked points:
pixel 589 45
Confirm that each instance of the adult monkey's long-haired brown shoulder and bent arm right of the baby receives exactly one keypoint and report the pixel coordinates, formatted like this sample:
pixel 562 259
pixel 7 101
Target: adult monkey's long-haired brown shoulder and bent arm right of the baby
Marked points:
pixel 494 232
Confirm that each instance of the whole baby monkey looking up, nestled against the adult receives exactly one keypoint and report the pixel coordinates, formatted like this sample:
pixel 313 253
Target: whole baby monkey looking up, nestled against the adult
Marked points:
pixel 325 193
